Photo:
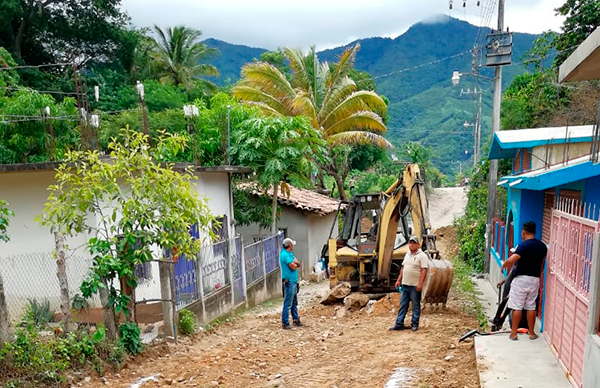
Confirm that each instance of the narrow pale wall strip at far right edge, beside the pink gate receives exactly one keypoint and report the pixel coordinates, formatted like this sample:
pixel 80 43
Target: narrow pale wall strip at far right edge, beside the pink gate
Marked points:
pixel 591 372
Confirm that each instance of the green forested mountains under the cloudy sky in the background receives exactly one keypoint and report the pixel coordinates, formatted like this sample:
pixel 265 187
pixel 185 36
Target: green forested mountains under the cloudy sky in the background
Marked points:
pixel 414 72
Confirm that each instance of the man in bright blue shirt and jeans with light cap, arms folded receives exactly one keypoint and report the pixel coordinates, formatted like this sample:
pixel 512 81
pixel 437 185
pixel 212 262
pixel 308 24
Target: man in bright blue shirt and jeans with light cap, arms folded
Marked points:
pixel 289 275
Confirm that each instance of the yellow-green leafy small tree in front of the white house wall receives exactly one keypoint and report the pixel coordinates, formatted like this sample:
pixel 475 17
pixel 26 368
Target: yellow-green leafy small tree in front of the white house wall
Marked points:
pixel 132 204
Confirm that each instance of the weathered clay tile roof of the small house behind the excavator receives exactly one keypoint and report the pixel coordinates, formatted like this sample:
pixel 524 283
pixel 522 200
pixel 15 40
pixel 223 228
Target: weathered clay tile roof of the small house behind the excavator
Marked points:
pixel 300 199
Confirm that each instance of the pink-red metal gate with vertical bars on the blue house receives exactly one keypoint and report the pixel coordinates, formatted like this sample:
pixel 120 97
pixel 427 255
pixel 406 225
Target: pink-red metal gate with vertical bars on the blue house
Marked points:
pixel 568 283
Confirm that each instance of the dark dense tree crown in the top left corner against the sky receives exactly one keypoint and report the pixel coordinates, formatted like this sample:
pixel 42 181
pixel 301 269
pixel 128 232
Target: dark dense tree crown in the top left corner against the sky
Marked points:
pixel 53 31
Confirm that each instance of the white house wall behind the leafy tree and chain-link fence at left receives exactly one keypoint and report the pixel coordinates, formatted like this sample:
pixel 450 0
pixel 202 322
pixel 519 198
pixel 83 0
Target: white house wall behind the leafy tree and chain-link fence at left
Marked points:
pixel 26 262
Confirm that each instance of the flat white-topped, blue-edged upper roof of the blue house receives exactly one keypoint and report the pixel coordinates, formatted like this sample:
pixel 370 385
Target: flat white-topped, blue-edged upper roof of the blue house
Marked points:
pixel 506 143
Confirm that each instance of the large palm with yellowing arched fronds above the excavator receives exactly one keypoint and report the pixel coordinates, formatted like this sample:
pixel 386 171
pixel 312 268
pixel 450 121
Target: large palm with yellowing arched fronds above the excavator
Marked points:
pixel 323 93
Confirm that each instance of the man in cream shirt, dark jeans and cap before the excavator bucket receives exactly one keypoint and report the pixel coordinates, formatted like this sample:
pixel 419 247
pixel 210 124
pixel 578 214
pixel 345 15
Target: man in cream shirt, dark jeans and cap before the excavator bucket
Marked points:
pixel 412 277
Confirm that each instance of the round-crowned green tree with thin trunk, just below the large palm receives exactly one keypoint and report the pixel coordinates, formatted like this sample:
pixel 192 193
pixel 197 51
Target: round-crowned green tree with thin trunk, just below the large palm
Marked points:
pixel 277 149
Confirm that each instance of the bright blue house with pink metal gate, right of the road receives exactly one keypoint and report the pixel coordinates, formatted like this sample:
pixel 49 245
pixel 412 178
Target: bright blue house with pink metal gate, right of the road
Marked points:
pixel 555 182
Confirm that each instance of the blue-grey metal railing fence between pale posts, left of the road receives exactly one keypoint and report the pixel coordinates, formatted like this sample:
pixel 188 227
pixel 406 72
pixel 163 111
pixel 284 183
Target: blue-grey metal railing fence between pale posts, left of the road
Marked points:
pixel 225 264
